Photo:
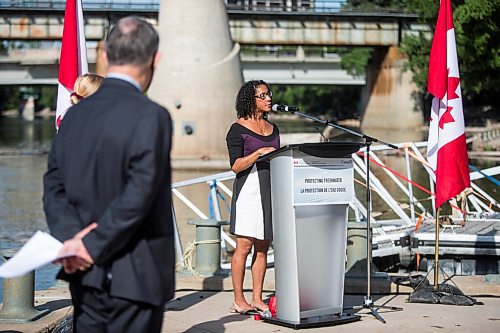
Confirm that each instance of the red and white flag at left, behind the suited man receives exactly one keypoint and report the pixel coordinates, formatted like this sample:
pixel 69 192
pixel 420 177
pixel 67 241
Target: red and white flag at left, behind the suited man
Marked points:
pixel 73 60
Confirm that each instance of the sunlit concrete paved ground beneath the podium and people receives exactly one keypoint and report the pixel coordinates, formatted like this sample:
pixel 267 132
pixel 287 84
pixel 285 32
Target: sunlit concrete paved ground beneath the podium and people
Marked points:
pixel 197 310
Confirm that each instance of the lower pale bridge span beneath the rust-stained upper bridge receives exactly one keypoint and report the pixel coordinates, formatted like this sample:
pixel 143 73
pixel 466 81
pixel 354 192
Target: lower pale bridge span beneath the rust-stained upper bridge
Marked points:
pixel 41 66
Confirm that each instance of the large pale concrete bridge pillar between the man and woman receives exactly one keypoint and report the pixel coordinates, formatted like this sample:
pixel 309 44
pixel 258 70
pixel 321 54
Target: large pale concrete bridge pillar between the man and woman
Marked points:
pixel 198 76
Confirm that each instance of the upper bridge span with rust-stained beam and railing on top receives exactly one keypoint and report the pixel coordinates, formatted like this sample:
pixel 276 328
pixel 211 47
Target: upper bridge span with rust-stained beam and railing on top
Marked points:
pixel 268 22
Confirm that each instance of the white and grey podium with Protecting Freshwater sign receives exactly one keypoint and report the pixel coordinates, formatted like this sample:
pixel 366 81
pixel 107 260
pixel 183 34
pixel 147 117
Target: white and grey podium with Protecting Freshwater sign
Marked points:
pixel 312 185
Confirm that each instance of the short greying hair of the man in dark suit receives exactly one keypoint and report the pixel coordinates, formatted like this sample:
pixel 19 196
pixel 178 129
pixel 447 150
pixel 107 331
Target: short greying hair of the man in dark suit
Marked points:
pixel 131 41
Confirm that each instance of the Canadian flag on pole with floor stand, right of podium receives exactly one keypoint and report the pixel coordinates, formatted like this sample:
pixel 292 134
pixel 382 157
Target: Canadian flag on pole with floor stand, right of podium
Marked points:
pixel 447 147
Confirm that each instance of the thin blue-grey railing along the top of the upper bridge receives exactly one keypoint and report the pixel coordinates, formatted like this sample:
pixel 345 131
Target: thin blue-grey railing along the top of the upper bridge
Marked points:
pixel 304 6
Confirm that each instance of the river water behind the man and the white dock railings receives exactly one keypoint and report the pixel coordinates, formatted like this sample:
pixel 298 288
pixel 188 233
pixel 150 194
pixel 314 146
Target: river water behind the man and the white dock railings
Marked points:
pixel 23 158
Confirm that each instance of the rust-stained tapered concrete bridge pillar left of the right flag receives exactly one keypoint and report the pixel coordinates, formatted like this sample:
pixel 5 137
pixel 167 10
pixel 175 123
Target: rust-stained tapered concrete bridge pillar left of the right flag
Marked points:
pixel 389 98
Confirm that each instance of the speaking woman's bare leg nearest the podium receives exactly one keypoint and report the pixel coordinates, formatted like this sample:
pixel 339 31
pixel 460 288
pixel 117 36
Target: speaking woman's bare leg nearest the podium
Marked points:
pixel 259 265
